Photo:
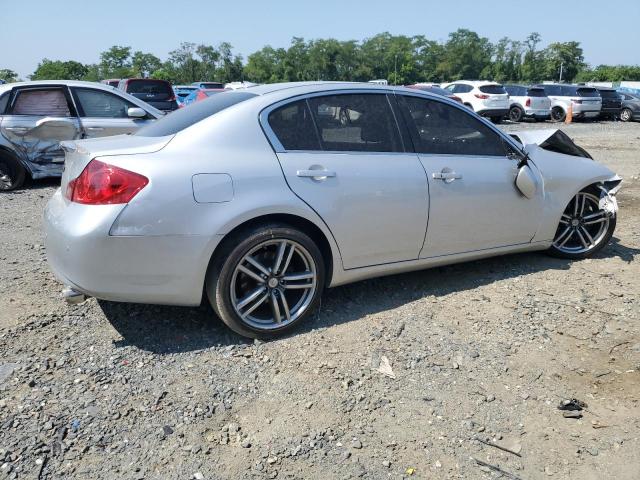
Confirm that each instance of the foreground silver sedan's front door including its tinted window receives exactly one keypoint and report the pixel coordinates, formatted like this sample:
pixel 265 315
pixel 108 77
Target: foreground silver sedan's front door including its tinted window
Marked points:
pixel 474 202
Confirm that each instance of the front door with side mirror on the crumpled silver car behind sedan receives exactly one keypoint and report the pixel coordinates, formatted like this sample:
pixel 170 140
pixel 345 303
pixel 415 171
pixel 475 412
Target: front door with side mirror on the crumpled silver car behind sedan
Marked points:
pixel 103 113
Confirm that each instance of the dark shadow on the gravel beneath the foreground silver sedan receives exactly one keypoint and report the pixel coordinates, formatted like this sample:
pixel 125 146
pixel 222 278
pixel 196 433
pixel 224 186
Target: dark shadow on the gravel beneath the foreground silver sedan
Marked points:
pixel 164 330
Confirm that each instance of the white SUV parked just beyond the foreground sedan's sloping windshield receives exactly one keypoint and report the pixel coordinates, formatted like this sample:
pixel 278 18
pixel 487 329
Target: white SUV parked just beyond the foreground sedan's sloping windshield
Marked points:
pixel 488 99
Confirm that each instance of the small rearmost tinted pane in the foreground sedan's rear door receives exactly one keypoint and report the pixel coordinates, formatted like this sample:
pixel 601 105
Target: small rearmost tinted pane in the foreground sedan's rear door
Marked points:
pixel 294 127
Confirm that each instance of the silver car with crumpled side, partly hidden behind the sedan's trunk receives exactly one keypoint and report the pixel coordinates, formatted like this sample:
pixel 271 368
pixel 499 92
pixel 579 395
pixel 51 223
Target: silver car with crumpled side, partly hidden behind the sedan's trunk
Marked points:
pixel 36 116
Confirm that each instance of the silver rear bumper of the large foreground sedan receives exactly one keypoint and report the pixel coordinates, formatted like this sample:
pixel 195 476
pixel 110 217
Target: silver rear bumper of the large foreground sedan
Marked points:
pixel 168 269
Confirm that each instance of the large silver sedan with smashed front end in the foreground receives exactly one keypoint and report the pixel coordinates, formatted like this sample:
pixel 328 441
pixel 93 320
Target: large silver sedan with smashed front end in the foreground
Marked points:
pixel 261 198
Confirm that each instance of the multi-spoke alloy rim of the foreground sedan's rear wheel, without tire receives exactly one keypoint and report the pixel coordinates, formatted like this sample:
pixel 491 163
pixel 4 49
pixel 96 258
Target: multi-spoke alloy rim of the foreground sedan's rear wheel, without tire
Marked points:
pixel 273 284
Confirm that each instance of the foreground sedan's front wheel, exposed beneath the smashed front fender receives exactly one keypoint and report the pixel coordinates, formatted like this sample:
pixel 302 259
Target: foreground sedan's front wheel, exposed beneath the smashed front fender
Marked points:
pixel 584 228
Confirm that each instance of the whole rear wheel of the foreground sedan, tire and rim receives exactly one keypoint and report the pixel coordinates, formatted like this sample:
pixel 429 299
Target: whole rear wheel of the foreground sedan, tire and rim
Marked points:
pixel 267 281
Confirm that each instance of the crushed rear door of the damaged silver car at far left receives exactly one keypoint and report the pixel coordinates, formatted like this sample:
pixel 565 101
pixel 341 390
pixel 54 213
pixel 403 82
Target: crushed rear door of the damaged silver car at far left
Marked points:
pixel 38 118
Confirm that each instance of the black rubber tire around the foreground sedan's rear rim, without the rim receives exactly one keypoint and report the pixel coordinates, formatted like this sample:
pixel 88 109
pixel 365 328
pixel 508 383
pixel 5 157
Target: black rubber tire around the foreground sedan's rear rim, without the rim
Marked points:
pixel 221 273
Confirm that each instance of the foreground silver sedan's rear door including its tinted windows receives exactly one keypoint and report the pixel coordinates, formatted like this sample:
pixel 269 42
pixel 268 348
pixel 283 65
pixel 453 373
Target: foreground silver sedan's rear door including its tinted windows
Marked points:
pixel 342 154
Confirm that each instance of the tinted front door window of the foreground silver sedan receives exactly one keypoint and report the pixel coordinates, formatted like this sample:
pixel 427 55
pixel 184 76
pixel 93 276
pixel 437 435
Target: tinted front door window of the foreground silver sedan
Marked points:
pixel 439 128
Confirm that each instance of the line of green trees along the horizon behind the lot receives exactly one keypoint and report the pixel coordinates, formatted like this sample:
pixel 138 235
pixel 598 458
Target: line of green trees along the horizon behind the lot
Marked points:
pixel 399 59
